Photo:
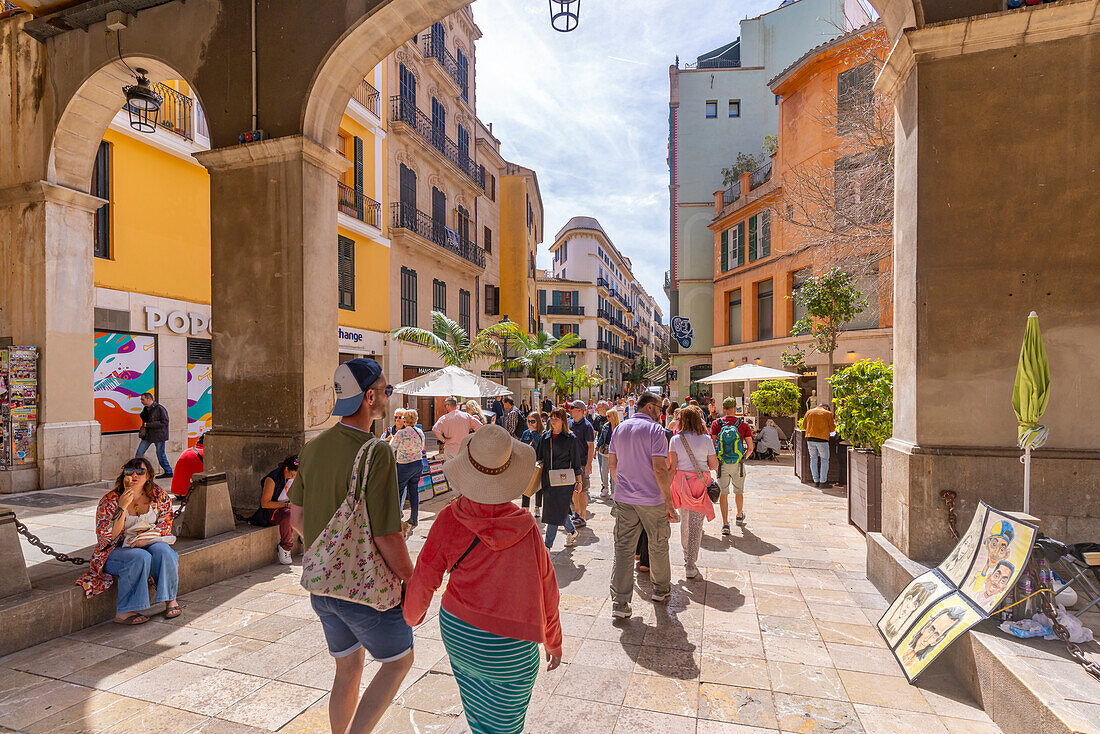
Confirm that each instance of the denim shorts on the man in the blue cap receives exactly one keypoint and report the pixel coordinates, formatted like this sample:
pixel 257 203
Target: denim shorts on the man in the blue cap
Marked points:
pixel 349 627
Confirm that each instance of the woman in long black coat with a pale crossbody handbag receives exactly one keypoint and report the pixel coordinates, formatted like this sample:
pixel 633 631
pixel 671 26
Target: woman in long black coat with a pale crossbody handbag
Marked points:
pixel 560 457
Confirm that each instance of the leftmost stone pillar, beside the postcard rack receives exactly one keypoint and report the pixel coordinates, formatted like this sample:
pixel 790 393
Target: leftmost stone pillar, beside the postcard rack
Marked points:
pixel 47 302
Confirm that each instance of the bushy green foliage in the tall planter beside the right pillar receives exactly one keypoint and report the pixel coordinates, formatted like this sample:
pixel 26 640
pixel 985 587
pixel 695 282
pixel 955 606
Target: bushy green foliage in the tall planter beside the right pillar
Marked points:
pixel 863 396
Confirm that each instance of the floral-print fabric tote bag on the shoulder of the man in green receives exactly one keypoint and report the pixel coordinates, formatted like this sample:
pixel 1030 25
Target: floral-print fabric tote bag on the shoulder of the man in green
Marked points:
pixel 344 562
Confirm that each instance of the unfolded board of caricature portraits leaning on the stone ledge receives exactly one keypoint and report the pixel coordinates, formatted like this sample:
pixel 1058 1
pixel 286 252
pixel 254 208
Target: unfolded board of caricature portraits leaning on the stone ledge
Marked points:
pixel 938 607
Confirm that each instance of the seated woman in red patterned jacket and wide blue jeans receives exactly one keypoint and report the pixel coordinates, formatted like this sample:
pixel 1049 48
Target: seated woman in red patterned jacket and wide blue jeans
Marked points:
pixel 134 542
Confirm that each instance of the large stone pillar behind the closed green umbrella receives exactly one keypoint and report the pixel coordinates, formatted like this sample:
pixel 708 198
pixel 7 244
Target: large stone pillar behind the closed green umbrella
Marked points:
pixel 997 216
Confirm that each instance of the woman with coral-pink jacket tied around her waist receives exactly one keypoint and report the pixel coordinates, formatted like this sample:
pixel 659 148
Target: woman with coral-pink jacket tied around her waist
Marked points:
pixel 692 457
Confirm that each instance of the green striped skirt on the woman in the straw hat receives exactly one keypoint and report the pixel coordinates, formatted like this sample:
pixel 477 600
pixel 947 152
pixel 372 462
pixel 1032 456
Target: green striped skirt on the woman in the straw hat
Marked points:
pixel 496 675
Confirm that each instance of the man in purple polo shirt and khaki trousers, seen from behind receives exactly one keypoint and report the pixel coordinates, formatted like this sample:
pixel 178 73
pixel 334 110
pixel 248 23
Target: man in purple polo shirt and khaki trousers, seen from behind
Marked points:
pixel 640 462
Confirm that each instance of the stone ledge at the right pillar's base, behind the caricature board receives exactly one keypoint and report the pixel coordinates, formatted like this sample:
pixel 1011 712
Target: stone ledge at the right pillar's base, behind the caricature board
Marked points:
pixel 1026 686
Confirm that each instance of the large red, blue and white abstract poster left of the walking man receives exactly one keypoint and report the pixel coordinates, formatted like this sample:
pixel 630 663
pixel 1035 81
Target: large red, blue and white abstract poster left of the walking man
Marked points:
pixel 126 368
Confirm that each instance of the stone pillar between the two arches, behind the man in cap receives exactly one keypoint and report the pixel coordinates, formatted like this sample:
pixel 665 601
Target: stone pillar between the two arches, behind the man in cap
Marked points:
pixel 273 255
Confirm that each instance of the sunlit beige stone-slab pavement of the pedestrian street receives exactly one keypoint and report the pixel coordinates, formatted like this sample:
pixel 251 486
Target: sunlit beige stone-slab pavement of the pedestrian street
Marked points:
pixel 776 636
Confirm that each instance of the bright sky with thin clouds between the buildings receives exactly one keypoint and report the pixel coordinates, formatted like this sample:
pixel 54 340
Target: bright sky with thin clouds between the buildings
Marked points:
pixel 589 111
